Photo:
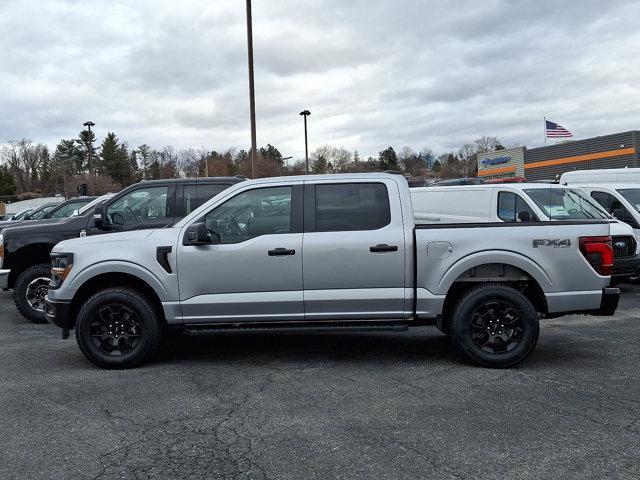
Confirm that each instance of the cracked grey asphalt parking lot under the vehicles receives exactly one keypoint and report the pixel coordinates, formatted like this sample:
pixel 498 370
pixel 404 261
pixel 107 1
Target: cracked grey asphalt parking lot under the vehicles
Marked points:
pixel 383 406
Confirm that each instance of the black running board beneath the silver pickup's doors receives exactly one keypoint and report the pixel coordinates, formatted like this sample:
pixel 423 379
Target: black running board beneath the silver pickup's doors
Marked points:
pixel 326 328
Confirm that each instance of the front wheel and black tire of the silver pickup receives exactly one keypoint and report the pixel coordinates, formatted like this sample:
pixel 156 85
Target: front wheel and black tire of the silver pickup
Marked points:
pixel 124 311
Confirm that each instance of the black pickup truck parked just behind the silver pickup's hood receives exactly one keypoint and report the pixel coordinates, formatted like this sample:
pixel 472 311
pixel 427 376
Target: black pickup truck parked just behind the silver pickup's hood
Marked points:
pixel 150 204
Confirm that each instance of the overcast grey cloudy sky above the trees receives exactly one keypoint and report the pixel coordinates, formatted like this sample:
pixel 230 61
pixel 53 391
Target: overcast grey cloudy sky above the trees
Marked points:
pixel 372 73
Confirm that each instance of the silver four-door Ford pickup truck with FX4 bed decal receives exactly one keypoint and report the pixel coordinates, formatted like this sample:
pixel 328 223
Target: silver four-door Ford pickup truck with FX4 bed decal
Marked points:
pixel 327 253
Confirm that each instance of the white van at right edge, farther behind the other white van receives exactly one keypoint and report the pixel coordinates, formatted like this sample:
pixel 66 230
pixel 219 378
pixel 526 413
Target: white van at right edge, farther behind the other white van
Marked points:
pixel 616 189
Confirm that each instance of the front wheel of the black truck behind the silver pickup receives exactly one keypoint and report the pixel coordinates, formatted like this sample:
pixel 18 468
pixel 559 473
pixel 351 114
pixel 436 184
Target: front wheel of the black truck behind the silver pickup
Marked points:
pixel 29 291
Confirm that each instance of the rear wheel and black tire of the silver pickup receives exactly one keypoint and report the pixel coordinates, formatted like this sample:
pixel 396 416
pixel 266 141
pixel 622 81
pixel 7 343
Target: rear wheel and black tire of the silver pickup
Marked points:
pixel 495 326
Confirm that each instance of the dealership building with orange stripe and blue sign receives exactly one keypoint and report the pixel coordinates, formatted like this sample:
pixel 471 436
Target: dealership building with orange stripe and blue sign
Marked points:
pixel 549 162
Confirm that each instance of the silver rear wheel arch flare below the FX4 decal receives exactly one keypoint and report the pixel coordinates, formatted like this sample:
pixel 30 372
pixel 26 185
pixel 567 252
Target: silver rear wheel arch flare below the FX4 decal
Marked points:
pixel 506 257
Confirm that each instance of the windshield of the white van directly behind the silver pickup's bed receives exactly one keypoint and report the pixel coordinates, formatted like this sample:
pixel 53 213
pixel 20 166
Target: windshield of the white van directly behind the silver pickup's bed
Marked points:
pixel 565 204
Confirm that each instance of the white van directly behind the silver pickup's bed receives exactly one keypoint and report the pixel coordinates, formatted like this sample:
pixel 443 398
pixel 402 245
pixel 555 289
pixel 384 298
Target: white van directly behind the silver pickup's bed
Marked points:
pixel 524 202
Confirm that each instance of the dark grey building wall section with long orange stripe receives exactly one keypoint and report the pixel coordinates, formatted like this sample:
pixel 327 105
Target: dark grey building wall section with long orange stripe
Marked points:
pixel 608 151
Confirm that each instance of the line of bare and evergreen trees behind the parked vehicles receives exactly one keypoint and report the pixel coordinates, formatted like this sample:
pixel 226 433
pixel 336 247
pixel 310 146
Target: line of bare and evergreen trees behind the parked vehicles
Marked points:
pixel 28 167
